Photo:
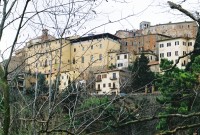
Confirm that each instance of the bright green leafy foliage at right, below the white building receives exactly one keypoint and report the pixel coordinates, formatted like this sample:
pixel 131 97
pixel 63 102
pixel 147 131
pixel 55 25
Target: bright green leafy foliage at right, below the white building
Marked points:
pixel 177 93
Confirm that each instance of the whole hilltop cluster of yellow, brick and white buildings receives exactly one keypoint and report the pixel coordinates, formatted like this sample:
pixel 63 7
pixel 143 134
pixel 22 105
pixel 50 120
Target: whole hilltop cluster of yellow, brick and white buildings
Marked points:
pixel 101 61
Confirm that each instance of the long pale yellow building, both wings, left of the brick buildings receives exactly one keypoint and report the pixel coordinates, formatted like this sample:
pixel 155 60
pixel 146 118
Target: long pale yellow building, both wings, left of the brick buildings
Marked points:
pixel 71 57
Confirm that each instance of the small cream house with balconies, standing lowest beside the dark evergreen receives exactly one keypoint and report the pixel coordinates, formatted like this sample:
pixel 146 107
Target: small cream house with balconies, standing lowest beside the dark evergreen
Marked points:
pixel 110 82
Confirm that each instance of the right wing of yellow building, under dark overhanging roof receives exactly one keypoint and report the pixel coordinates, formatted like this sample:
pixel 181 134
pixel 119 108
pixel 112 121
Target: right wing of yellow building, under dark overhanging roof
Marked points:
pixel 96 52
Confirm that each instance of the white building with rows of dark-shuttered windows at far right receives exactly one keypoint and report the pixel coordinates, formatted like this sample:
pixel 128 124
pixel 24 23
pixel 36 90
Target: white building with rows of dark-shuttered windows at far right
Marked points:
pixel 174 48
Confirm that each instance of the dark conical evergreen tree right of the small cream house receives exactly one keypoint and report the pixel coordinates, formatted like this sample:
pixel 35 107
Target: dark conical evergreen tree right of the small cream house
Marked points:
pixel 141 73
